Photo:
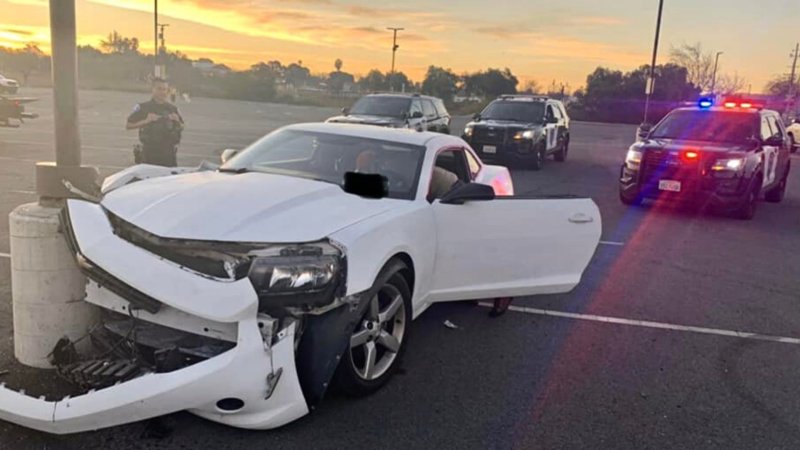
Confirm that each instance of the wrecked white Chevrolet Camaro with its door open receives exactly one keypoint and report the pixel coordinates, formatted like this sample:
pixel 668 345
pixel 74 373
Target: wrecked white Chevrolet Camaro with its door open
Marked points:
pixel 241 293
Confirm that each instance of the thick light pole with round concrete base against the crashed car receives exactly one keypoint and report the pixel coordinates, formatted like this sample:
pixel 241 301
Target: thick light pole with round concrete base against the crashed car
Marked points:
pixel 47 288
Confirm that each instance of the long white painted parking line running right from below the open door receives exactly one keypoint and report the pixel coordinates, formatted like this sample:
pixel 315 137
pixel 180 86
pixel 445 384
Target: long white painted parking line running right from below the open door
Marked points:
pixel 648 324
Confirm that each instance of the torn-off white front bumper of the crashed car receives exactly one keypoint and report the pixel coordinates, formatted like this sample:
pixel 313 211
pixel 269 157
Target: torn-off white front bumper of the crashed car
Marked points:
pixel 255 384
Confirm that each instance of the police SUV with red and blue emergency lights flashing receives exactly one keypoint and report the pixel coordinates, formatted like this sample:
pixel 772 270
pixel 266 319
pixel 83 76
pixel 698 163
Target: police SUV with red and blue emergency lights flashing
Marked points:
pixel 724 157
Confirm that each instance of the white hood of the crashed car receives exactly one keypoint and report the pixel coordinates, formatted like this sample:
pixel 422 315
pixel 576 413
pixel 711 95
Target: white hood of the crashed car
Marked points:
pixel 250 207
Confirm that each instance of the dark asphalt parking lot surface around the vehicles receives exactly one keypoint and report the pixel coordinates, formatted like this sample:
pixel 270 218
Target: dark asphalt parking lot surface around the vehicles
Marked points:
pixel 647 352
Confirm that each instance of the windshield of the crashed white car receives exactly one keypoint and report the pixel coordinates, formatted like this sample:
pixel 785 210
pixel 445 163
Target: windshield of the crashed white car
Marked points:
pixel 327 157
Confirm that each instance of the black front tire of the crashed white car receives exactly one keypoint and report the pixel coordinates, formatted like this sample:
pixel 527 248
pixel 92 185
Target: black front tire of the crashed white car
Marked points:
pixel 349 378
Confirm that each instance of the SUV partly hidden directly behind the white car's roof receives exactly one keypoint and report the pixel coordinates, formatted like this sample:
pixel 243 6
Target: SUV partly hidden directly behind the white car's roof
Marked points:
pixel 418 112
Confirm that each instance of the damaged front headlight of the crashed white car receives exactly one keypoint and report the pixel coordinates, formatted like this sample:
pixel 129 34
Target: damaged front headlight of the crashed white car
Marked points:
pixel 297 275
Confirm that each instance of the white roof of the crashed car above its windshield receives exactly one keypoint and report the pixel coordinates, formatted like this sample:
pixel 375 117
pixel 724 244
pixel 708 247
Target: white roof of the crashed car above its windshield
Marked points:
pixel 398 135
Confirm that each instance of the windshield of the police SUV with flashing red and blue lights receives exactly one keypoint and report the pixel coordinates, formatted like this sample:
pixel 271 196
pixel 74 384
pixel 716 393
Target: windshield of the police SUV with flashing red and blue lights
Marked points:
pixel 712 126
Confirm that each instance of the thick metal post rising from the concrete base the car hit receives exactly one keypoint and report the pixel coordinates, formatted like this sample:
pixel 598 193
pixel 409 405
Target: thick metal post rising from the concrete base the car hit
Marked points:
pixel 65 84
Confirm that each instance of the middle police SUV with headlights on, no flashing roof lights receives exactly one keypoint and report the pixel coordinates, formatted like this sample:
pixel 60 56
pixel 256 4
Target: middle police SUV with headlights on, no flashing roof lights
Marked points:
pixel 520 129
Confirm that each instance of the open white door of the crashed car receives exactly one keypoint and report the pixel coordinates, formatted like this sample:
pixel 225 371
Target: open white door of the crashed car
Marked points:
pixel 512 246
